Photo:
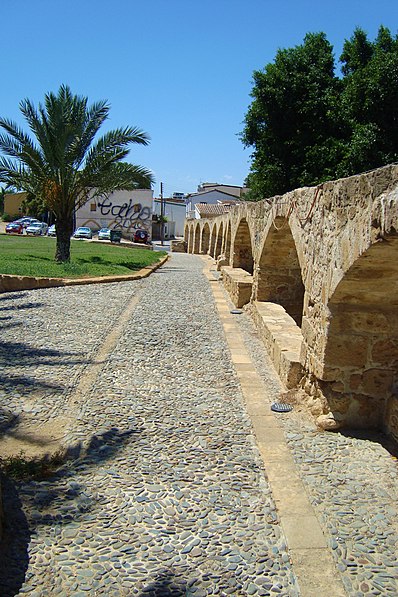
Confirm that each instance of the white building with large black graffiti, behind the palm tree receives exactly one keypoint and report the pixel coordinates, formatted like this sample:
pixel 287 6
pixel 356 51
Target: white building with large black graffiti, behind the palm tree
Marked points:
pixel 125 210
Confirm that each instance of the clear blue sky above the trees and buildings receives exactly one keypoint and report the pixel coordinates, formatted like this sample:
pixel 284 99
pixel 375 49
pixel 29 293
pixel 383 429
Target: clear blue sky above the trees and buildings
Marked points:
pixel 179 69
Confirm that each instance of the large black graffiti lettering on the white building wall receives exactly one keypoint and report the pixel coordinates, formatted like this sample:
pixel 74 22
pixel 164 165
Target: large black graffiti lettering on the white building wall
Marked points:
pixel 129 216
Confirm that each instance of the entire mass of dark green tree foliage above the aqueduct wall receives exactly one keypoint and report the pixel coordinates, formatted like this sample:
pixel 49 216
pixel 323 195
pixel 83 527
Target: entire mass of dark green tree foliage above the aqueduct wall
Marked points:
pixel 307 125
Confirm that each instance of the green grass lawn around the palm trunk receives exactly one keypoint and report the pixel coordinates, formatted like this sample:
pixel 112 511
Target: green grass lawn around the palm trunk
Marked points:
pixel 31 256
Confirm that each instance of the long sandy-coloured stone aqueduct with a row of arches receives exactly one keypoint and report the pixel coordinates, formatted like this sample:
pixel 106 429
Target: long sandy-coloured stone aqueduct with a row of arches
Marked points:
pixel 317 268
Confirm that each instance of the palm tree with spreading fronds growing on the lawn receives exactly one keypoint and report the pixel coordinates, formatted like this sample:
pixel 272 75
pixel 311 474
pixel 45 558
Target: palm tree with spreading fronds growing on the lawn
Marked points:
pixel 64 165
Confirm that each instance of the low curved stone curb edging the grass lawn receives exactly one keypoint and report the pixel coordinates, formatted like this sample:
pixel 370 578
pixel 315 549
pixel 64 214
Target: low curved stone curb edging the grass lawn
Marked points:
pixel 10 283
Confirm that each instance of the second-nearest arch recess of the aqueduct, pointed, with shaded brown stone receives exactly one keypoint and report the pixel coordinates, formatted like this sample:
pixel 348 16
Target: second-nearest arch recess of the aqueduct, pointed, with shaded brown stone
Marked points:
pixel 279 278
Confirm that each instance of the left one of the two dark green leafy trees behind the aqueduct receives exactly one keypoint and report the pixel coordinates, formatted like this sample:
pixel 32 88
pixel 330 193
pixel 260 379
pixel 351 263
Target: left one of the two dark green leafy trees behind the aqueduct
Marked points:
pixel 293 122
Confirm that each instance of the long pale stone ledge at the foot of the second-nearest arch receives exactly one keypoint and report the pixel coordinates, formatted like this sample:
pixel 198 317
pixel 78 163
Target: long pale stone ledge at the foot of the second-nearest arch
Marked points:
pixel 283 339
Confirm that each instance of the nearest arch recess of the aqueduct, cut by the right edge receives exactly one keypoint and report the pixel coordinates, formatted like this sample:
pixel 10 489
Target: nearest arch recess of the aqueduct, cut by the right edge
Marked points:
pixel 360 365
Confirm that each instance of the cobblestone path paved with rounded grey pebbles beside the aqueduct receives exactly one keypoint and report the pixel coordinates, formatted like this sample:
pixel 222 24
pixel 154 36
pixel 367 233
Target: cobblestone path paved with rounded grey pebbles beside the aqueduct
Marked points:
pixel 167 492
